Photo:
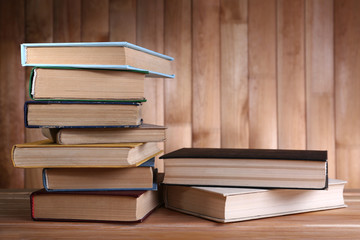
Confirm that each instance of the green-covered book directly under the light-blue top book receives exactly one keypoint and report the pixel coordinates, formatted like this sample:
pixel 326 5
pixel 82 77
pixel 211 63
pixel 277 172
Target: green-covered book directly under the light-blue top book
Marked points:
pixel 86 84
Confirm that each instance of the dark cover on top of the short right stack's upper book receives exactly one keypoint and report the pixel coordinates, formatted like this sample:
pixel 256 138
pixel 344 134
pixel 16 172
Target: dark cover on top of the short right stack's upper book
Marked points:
pixel 241 153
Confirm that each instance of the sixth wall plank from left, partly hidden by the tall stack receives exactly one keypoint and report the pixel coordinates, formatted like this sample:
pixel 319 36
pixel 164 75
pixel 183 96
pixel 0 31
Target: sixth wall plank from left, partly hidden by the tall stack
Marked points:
pixel 150 34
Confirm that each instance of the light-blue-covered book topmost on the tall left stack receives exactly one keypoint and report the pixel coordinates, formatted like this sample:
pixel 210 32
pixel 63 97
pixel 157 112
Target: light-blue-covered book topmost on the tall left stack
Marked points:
pixel 104 55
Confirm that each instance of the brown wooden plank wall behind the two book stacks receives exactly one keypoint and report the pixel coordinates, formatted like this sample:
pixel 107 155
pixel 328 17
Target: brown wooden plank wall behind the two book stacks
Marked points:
pixel 249 73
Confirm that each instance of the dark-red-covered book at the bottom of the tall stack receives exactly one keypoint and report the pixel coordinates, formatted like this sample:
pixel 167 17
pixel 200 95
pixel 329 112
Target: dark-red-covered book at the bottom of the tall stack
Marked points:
pixel 108 206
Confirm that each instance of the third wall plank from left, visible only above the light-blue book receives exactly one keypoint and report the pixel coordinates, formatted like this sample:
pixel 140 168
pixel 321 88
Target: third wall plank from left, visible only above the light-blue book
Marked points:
pixel 67 20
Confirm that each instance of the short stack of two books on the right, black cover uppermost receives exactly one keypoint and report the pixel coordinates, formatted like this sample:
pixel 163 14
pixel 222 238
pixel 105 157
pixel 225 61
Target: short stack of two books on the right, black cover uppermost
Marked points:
pixel 228 185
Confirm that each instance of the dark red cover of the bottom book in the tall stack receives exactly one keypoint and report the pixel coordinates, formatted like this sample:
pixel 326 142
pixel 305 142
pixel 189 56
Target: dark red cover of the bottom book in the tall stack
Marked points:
pixel 134 194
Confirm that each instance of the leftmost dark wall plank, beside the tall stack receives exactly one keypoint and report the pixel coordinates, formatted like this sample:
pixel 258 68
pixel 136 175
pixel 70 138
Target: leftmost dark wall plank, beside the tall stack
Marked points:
pixel 12 92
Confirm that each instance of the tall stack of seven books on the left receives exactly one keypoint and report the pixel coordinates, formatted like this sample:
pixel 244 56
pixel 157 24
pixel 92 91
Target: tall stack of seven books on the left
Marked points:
pixel 98 161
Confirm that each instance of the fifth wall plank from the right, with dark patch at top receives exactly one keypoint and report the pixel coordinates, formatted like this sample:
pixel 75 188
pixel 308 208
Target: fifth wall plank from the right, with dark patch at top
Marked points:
pixel 234 74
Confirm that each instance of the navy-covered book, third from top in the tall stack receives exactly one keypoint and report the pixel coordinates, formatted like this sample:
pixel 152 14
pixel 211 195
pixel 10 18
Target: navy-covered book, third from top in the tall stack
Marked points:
pixel 69 114
